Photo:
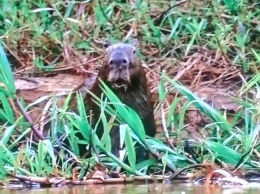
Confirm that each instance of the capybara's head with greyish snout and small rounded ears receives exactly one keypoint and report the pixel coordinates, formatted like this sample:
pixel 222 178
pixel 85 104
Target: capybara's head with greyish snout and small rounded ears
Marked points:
pixel 122 62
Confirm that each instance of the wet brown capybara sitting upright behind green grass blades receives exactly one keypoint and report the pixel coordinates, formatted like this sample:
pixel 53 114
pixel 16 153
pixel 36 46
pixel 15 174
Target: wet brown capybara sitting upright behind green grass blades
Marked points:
pixel 123 74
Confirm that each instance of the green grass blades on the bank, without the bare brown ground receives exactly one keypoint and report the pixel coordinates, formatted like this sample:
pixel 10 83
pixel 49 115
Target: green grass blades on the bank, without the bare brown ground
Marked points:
pixel 42 36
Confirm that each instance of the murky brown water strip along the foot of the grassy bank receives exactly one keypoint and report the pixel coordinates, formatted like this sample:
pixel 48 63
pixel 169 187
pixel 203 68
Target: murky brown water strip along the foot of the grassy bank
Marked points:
pixel 187 188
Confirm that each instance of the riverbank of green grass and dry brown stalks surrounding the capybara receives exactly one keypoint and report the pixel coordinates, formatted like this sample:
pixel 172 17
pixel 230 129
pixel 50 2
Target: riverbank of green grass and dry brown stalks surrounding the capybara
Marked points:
pixel 201 60
